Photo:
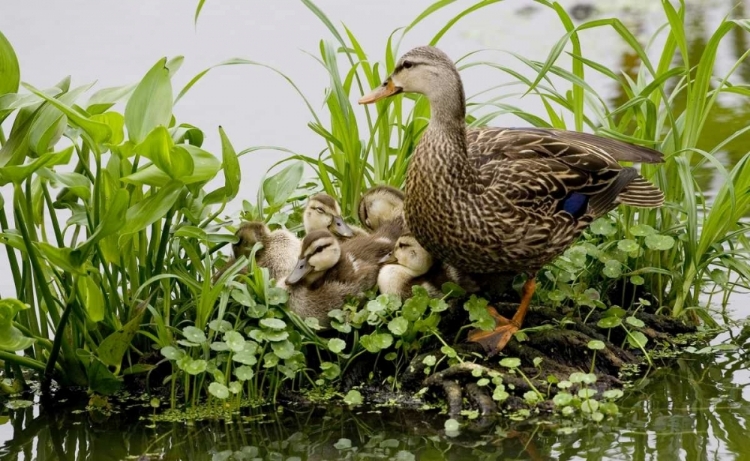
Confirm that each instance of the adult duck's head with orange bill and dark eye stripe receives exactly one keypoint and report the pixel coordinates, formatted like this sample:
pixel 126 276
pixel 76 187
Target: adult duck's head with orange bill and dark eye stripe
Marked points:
pixel 425 70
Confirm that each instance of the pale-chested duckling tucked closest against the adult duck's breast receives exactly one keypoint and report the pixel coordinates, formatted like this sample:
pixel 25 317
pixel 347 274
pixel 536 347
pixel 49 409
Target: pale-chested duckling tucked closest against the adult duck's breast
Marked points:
pixel 410 264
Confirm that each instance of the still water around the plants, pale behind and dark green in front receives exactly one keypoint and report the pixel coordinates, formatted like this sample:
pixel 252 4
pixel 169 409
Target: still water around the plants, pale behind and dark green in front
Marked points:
pixel 697 409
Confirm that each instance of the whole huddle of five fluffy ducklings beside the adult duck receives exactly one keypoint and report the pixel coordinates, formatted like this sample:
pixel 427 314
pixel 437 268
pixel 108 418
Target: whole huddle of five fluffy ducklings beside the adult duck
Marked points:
pixel 336 260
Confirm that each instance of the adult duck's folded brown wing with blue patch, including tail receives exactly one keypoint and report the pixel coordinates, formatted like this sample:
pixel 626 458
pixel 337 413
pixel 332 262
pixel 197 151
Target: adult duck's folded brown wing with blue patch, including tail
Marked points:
pixel 549 171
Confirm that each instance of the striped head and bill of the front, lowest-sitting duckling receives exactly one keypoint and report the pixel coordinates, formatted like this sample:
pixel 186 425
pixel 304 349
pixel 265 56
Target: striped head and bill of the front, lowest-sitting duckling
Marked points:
pixel 320 252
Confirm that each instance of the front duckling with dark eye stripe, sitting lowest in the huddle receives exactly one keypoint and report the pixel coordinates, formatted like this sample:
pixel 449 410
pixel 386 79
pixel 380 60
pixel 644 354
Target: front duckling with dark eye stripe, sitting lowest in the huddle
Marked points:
pixel 325 275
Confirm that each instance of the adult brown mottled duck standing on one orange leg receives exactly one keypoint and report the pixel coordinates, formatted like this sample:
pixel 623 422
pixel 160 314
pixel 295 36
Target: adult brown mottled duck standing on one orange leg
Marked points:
pixel 504 200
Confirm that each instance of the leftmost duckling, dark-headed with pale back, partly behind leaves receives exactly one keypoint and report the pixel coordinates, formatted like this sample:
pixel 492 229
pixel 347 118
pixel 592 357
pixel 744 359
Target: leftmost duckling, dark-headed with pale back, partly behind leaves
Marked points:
pixel 279 252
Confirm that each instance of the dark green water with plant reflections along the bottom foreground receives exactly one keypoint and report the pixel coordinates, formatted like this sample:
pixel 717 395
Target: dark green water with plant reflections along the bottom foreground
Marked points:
pixel 697 409
